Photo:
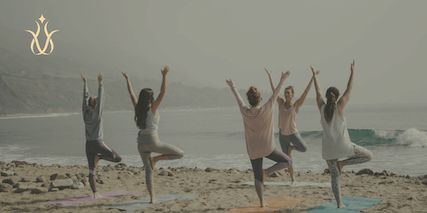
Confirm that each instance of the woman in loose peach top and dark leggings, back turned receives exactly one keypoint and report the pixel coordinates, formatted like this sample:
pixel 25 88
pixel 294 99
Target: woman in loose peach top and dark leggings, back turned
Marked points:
pixel 259 133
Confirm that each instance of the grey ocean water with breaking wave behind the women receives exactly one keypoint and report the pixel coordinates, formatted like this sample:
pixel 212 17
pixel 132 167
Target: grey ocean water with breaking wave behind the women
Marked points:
pixel 395 133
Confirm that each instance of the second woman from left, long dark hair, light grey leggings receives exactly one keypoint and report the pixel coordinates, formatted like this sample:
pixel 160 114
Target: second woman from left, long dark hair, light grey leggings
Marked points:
pixel 147 119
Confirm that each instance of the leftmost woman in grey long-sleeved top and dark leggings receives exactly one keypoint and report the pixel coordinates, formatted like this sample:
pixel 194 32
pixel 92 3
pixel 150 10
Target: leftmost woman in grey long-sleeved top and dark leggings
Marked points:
pixel 95 147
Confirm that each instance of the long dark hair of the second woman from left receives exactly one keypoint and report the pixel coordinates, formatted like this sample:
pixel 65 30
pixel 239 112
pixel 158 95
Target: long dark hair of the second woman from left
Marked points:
pixel 145 99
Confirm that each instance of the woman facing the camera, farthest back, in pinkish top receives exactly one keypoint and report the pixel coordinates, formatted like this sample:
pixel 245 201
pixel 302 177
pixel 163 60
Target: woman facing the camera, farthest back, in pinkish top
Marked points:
pixel 288 132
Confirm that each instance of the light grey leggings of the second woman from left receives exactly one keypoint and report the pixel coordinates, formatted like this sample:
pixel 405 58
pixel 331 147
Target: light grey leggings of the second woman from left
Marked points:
pixel 151 143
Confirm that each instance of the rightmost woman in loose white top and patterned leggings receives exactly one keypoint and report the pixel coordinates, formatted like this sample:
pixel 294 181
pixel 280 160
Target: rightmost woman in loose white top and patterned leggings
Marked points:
pixel 336 140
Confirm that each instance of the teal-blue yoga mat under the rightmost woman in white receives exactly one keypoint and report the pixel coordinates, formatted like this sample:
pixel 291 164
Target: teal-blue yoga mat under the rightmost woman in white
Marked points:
pixel 353 204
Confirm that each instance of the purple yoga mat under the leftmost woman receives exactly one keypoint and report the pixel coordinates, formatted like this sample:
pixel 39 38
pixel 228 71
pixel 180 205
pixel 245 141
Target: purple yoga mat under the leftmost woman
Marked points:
pixel 89 198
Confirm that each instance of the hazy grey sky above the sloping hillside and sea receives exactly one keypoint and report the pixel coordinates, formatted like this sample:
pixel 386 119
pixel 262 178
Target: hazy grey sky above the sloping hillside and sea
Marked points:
pixel 211 41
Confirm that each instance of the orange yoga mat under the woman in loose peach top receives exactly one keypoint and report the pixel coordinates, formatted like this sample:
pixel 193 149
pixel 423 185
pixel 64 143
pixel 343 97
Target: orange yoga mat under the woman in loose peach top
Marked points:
pixel 273 205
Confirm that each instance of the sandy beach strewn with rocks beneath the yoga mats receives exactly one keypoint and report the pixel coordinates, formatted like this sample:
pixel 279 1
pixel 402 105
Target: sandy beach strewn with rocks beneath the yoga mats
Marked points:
pixel 219 189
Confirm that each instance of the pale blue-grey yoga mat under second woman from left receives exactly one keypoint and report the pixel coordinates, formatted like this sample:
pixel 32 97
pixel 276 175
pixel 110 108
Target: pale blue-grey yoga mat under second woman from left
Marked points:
pixel 145 202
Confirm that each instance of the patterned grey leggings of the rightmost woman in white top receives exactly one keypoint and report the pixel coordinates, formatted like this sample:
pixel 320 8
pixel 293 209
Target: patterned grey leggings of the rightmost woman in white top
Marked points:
pixel 361 155
